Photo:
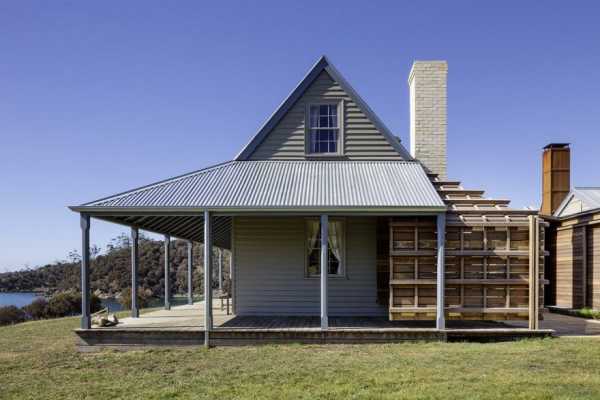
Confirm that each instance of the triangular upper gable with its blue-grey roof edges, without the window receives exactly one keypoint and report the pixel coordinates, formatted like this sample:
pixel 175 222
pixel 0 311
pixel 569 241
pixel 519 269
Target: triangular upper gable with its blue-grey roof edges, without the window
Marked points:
pixel 364 137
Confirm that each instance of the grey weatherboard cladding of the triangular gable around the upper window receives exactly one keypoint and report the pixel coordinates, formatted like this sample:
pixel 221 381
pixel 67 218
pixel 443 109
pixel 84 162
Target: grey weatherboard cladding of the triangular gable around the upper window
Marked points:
pixel 362 140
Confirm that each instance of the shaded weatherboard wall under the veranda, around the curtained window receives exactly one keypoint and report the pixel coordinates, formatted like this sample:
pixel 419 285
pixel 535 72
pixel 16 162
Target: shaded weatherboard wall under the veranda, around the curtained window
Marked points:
pixel 269 267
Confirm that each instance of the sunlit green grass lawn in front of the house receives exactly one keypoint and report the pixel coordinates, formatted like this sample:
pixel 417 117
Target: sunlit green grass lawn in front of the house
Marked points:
pixel 38 361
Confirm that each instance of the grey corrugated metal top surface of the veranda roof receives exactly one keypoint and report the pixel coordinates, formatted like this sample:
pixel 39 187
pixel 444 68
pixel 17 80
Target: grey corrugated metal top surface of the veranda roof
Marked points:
pixel 248 185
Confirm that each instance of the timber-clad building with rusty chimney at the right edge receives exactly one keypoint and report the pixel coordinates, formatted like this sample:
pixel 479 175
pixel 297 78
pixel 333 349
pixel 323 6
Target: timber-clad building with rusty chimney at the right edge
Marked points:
pixel 573 265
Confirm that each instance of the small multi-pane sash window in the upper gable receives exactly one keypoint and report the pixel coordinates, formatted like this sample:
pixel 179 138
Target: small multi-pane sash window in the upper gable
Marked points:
pixel 324 129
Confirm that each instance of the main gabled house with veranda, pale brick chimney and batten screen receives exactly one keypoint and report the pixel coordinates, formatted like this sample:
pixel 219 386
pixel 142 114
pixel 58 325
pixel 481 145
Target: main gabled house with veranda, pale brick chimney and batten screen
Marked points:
pixel 329 217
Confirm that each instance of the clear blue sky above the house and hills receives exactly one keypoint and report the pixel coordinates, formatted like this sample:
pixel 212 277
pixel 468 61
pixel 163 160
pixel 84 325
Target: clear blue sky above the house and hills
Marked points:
pixel 97 98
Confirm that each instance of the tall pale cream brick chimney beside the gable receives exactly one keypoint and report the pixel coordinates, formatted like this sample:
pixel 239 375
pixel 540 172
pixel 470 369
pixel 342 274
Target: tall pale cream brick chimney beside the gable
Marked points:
pixel 428 114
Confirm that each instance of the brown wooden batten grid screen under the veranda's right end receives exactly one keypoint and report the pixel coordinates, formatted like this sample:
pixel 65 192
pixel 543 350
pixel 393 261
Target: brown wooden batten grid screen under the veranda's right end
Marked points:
pixel 487 271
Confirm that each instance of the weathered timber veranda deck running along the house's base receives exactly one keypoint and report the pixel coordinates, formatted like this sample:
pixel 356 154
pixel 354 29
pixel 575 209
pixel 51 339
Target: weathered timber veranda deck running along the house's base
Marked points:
pixel 183 326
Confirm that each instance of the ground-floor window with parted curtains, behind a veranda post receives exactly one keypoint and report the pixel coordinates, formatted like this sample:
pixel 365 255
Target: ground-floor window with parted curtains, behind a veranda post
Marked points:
pixel 335 262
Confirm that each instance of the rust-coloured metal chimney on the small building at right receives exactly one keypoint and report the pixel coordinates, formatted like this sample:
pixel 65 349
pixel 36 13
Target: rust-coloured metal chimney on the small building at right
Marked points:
pixel 556 179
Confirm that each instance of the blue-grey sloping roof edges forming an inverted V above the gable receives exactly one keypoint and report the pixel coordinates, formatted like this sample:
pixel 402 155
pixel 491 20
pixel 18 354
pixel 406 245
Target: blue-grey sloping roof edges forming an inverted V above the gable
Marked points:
pixel 323 64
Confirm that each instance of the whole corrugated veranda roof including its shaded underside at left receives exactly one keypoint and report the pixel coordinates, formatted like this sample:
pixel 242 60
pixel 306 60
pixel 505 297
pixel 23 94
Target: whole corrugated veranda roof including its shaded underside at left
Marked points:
pixel 174 206
